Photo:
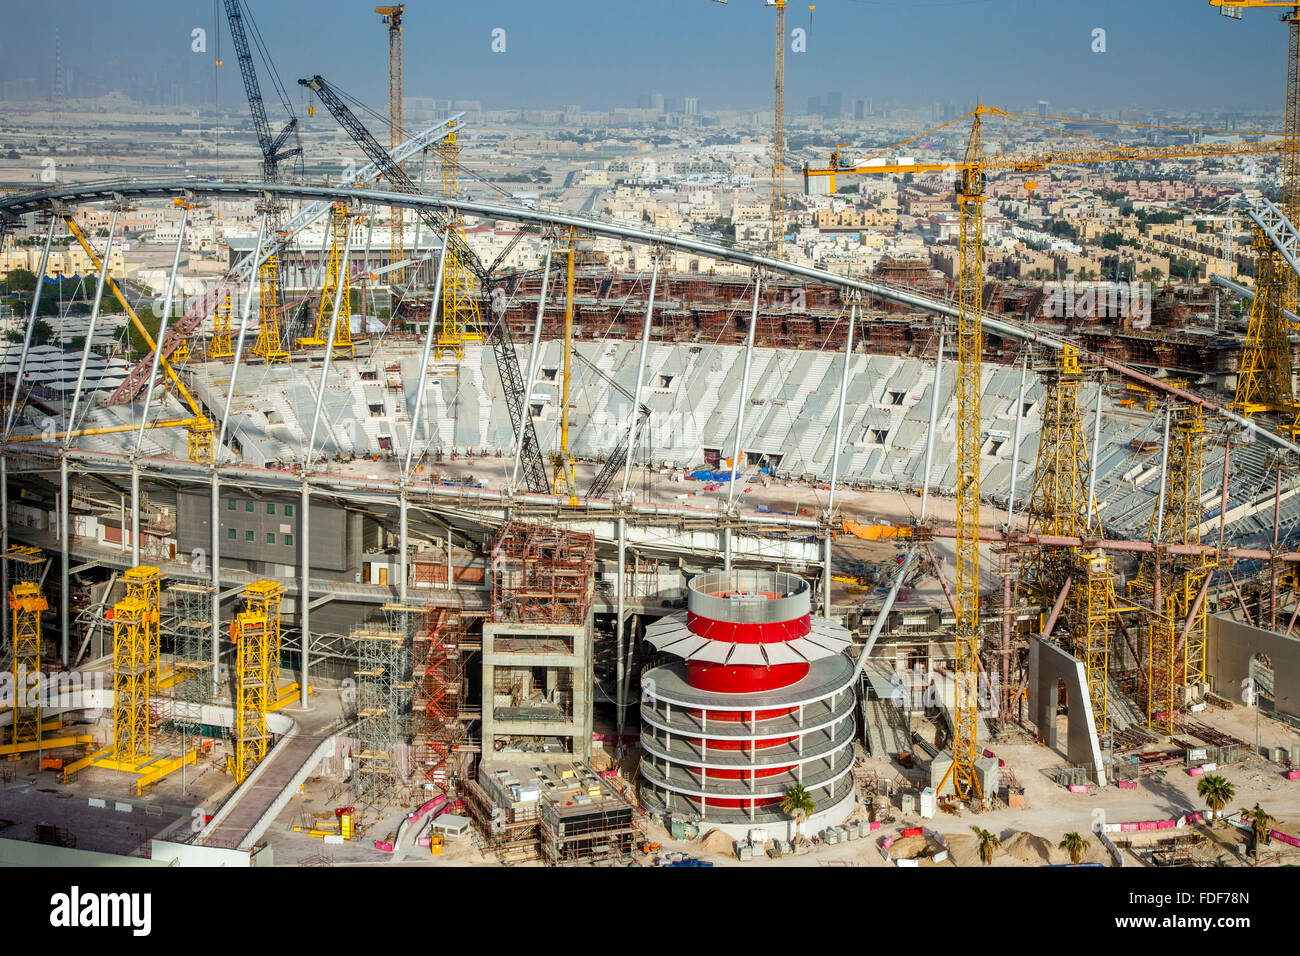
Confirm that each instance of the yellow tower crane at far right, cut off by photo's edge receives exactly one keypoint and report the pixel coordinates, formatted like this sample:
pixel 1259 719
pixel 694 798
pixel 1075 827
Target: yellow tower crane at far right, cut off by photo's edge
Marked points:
pixel 1264 377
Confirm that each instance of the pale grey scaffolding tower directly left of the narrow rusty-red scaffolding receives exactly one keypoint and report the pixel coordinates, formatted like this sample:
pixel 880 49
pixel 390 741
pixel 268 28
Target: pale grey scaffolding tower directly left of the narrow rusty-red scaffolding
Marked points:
pixel 384 687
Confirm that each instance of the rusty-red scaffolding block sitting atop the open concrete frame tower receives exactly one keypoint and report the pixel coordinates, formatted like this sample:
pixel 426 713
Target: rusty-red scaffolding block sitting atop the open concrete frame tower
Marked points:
pixel 541 576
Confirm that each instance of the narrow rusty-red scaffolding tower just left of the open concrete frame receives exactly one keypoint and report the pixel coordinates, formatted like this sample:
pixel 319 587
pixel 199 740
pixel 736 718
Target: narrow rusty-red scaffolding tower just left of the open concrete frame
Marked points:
pixel 439 652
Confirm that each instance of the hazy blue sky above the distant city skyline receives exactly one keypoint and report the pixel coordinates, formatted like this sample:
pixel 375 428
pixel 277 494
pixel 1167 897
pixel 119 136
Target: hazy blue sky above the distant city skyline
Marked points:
pixel 1160 54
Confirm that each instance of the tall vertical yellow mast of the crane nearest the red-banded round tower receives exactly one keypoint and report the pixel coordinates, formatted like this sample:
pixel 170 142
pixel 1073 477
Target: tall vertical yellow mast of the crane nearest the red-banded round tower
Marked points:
pixel 970 347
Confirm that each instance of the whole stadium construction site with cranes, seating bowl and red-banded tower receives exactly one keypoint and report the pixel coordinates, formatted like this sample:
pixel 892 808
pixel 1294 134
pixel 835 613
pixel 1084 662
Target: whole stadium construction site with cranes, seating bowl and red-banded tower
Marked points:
pixel 716 560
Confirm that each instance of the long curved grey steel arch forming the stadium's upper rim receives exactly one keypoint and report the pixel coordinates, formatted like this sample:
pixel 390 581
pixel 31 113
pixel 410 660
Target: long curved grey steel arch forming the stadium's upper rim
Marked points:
pixel 80 194
